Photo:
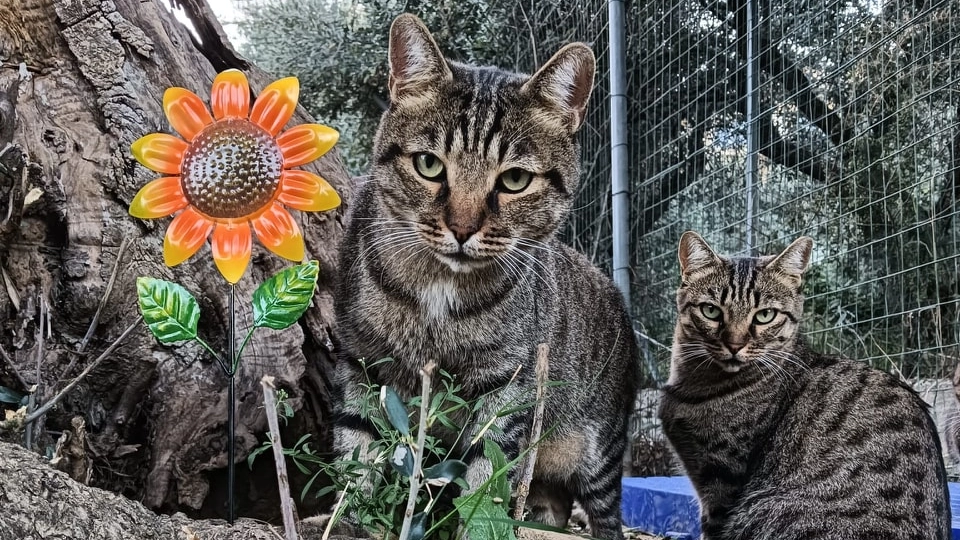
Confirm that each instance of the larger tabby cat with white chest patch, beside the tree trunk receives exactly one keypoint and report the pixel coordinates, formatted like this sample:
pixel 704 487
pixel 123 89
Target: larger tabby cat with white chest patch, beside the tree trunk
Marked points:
pixel 450 256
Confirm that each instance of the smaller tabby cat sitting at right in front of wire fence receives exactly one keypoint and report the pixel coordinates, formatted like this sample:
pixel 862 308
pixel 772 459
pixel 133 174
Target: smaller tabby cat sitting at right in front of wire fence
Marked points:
pixel 779 441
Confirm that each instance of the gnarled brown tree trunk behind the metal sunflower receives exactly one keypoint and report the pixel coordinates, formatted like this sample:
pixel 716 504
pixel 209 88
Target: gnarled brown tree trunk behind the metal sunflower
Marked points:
pixel 80 80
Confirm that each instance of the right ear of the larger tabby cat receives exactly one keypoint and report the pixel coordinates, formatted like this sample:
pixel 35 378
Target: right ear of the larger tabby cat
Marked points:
pixel 565 83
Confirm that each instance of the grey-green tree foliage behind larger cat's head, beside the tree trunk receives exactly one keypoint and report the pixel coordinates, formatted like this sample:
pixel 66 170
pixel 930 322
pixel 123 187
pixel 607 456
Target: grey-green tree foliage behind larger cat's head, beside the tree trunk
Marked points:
pixel 338 50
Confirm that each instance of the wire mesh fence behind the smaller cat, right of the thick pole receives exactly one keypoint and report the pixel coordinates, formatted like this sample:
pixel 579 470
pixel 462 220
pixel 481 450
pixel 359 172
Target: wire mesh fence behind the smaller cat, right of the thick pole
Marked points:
pixel 859 147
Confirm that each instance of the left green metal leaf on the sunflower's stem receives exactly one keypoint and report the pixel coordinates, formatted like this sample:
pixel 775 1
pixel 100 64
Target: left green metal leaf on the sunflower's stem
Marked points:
pixel 170 311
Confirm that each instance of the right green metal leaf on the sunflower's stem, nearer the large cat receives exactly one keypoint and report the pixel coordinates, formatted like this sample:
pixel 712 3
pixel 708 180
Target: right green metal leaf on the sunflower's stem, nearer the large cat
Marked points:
pixel 282 299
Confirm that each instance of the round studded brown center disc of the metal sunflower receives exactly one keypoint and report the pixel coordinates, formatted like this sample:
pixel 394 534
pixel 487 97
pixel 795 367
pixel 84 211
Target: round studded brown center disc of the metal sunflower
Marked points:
pixel 231 169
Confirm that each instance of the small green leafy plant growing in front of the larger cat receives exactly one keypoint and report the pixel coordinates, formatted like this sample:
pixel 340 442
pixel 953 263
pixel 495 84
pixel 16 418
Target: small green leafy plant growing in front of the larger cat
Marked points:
pixel 377 484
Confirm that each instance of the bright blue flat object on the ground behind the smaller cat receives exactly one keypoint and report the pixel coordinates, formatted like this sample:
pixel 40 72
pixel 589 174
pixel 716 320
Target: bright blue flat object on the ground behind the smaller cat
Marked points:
pixel 667 506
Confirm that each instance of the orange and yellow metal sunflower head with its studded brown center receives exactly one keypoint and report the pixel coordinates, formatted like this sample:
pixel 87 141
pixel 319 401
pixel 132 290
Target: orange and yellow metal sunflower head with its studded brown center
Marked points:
pixel 232 172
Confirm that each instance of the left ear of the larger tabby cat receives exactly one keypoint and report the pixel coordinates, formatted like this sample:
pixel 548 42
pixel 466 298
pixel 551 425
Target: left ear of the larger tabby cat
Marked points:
pixel 415 60
